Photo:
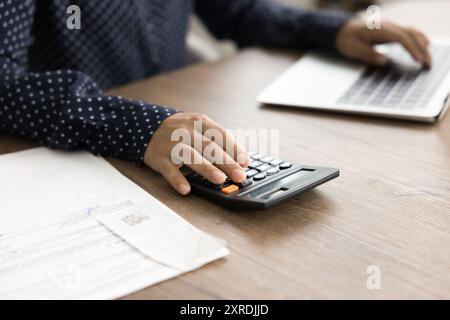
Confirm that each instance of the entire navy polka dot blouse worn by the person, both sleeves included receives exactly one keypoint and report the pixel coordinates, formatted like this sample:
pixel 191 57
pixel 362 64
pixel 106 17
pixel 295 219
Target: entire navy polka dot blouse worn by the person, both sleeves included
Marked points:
pixel 52 77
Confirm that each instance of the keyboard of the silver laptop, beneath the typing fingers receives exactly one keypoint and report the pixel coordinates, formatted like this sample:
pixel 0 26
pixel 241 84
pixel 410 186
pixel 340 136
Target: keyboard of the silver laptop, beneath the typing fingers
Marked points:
pixel 399 85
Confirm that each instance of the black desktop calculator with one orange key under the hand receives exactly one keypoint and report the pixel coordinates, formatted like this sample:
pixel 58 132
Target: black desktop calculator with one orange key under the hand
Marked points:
pixel 269 181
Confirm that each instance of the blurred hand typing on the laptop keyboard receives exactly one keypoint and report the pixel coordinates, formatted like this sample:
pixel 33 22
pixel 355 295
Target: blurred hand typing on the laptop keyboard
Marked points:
pixel 356 41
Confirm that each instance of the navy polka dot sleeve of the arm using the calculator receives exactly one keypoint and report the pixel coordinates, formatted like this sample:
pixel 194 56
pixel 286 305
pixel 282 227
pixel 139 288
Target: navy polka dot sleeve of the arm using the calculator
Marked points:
pixel 65 109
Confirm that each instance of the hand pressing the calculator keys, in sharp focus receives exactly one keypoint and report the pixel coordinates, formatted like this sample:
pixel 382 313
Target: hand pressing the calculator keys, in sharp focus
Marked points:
pixel 198 152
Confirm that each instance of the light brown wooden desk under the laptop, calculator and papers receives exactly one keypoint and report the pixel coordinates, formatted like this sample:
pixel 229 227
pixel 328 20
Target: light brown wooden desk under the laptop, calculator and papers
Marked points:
pixel 390 207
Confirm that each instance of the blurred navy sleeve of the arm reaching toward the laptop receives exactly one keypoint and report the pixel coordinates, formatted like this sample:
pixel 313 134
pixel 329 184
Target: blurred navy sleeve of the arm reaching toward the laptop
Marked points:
pixel 270 23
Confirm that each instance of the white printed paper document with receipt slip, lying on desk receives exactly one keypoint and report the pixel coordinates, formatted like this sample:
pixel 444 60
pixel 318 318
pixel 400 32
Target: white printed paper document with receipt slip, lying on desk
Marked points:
pixel 64 218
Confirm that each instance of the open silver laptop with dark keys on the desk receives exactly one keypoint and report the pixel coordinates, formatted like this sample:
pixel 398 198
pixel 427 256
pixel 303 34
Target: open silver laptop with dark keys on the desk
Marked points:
pixel 403 89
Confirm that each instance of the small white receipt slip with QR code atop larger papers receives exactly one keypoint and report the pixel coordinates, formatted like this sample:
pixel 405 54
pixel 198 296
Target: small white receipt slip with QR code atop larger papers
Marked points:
pixel 163 236
